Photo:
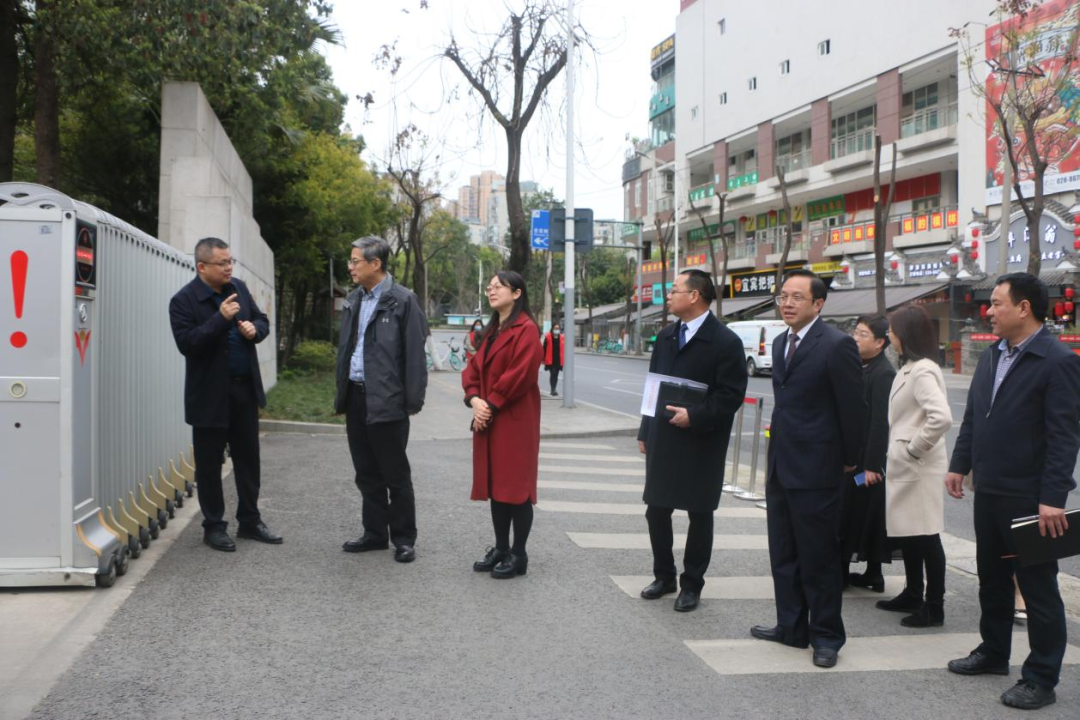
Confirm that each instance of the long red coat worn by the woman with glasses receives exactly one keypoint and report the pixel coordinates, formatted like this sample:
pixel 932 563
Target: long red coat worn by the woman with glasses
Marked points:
pixel 504 374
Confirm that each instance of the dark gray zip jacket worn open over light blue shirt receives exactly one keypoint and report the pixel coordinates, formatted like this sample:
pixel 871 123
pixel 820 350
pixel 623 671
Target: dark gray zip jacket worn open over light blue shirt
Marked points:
pixel 396 365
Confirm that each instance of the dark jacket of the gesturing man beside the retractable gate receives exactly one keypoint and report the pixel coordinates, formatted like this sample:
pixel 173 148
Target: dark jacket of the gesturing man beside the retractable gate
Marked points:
pixel 202 336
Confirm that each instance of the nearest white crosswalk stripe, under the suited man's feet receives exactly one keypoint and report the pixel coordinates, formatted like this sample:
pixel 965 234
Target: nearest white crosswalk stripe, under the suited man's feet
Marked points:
pixel 895 653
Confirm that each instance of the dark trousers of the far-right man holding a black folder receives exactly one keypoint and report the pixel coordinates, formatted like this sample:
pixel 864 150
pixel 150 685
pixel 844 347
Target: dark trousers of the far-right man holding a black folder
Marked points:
pixel 1038 583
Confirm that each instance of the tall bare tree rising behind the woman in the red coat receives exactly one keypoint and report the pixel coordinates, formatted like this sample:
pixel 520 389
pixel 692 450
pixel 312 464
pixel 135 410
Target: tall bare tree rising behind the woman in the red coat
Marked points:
pixel 514 70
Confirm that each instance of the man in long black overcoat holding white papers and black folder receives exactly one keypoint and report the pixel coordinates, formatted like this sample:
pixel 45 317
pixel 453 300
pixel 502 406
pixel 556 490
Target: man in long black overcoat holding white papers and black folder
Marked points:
pixel 685 444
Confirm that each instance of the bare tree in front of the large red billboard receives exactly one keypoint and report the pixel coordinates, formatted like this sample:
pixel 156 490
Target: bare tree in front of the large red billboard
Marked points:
pixel 1032 72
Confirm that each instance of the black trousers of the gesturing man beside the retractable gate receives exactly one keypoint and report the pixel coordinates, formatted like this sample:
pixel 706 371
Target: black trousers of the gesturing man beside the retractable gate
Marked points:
pixel 242 437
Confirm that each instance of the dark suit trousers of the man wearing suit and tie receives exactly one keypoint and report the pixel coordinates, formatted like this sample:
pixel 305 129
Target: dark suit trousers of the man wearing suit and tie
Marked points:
pixel 807 574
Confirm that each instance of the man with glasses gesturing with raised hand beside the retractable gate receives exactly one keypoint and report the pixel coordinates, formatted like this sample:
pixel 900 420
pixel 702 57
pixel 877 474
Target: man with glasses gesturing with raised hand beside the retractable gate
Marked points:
pixel 217 325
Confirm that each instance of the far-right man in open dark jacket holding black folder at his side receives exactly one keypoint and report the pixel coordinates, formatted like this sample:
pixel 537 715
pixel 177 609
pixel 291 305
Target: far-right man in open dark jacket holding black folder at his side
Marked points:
pixel 1020 439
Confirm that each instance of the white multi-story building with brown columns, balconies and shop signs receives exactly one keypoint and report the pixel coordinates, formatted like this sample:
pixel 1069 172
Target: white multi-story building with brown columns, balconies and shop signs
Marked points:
pixel 803 92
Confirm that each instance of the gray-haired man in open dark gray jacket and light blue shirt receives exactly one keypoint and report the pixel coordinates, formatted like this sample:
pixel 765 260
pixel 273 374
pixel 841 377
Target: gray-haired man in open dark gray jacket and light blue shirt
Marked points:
pixel 382 379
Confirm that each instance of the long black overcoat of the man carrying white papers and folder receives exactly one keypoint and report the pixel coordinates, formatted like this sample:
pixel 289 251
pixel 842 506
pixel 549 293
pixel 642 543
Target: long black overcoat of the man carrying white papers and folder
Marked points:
pixel 685 467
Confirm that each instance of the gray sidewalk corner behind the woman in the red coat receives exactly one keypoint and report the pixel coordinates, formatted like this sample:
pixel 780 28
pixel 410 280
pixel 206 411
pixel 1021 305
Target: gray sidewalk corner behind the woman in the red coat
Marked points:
pixel 447 418
